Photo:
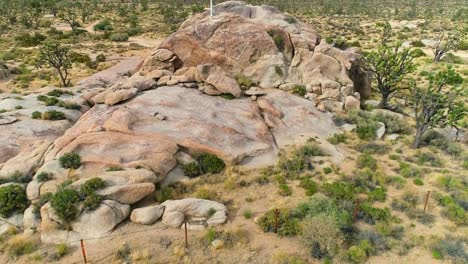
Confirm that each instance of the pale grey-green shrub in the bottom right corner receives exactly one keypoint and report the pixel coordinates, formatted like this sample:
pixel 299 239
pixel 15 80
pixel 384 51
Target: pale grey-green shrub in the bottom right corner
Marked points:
pixel 452 247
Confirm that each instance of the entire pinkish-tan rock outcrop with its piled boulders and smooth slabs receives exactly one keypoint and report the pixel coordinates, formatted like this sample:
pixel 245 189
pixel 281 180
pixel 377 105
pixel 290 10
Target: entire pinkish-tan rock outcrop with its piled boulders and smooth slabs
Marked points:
pixel 240 86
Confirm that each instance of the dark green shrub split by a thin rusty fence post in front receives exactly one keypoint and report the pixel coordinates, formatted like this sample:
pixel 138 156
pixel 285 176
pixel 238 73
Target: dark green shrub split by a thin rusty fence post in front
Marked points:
pixel 288 224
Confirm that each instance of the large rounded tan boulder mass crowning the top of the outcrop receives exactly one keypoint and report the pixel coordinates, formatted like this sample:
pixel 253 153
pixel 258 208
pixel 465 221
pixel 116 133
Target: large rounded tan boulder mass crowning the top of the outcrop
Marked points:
pixel 261 44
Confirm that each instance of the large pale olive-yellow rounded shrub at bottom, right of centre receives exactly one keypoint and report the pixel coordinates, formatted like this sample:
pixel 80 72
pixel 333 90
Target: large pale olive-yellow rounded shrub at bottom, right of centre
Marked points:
pixel 321 235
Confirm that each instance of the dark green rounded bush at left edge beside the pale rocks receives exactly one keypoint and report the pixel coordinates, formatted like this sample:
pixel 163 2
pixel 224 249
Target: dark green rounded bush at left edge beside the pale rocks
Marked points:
pixel 12 200
